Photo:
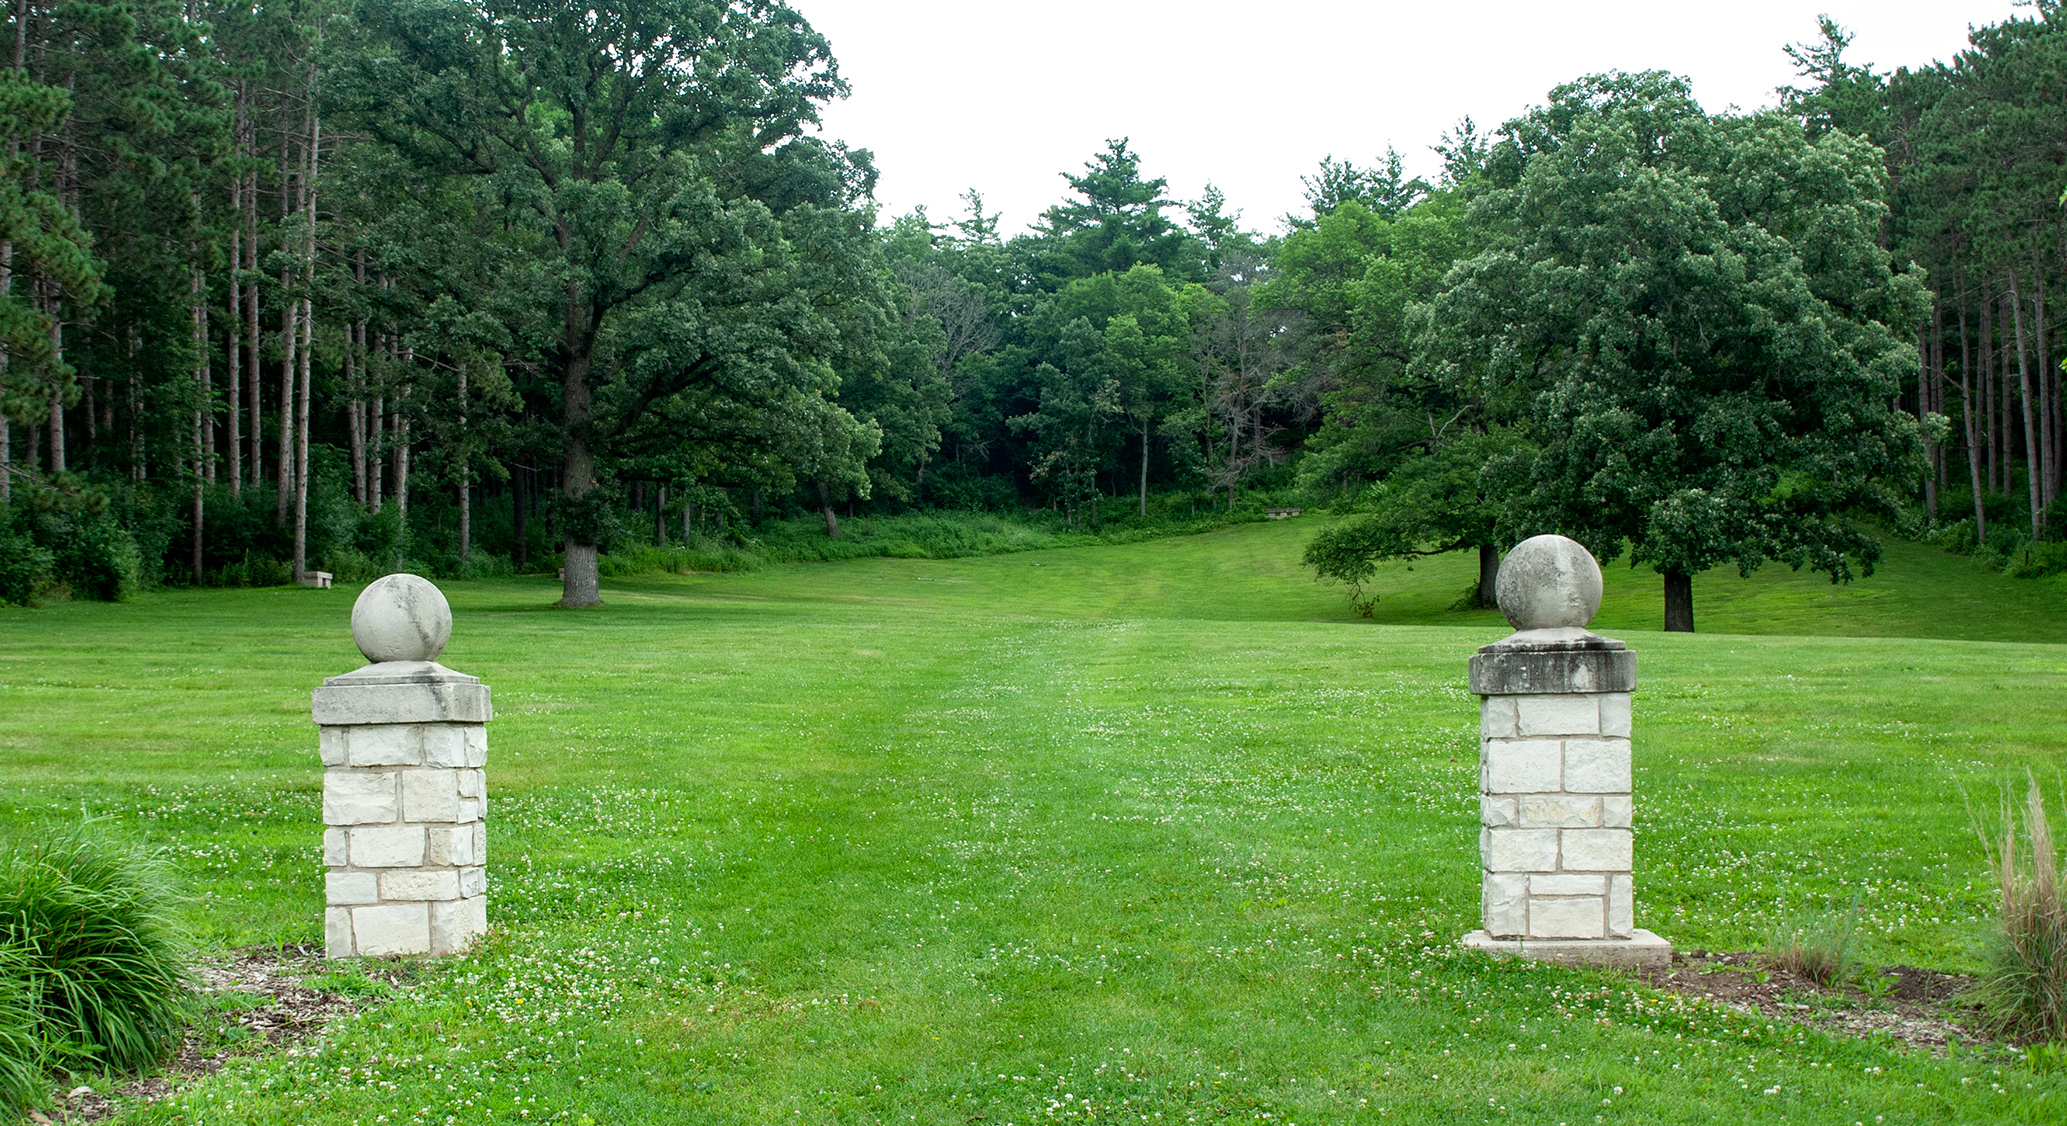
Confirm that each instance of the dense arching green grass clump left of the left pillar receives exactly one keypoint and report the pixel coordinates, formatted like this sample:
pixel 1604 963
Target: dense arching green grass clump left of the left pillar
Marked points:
pixel 90 925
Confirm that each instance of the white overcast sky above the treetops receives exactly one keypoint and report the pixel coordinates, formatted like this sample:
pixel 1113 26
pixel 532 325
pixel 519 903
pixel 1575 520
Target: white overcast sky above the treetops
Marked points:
pixel 1006 96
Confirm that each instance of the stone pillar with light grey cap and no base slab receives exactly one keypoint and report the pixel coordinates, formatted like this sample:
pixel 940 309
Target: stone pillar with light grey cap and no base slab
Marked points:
pixel 404 788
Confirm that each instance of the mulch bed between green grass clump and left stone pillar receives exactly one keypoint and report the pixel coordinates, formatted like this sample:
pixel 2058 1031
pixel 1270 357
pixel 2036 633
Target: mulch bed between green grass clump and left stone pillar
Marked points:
pixel 284 1015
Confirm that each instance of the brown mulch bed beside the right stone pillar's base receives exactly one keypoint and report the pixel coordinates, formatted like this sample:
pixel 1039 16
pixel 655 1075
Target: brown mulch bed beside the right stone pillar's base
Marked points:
pixel 1923 1009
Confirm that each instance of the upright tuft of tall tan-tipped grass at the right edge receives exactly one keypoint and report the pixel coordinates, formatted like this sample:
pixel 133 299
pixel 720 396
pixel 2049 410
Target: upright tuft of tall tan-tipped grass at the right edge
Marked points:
pixel 2025 991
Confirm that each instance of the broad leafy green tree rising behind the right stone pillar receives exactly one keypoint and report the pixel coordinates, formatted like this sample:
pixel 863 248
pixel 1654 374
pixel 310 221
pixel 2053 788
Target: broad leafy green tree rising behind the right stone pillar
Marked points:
pixel 1708 330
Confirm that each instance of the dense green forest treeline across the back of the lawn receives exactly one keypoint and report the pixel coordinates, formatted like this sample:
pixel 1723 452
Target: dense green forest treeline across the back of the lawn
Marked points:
pixel 479 286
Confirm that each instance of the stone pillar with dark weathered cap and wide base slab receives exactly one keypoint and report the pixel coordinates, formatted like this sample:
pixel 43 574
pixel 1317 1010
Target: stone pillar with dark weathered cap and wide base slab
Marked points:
pixel 1553 770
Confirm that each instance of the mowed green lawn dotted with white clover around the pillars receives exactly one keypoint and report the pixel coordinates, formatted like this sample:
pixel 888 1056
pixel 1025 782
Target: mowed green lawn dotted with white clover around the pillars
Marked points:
pixel 1150 834
